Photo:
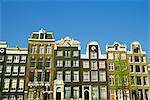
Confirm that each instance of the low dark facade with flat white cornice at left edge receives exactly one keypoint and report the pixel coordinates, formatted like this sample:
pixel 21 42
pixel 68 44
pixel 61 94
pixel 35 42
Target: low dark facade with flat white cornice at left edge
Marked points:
pixel 12 66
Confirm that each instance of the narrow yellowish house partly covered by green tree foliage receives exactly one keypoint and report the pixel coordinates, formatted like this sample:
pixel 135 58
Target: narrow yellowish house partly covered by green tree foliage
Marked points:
pixel 118 71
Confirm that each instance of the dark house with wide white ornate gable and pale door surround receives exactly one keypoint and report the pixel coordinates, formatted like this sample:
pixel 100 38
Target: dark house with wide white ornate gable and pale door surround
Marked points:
pixel 67 84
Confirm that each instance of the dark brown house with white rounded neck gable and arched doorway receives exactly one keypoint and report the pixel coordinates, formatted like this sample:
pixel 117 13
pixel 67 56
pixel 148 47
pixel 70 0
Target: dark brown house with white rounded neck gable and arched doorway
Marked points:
pixel 94 73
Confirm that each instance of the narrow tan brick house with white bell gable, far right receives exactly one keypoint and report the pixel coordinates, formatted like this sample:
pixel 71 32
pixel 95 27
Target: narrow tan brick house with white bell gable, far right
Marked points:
pixel 138 72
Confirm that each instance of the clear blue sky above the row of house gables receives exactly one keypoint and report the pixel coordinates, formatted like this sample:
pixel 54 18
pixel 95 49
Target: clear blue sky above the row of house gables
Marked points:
pixel 105 21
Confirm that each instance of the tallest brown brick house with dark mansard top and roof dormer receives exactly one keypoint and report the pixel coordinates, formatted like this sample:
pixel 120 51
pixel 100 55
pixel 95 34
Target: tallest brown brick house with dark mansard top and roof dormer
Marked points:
pixel 40 67
